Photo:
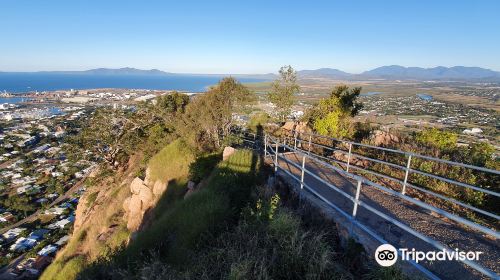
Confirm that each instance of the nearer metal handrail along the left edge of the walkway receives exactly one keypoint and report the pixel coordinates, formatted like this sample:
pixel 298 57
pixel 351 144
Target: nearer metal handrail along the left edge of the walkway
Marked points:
pixel 358 202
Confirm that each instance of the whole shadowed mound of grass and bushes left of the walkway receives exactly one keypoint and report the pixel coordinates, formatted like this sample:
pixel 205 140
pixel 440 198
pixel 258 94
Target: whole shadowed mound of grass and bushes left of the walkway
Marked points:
pixel 232 228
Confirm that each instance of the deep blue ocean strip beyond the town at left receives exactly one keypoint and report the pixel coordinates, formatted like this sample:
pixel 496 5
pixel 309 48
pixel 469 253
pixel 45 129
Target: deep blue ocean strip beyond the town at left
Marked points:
pixel 25 82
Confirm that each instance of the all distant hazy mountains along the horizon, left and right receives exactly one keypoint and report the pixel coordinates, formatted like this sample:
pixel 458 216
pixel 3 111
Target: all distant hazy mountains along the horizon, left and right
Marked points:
pixel 392 72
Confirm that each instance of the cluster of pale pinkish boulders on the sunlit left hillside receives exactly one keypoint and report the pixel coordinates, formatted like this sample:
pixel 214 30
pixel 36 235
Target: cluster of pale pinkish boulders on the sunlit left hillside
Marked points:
pixel 144 195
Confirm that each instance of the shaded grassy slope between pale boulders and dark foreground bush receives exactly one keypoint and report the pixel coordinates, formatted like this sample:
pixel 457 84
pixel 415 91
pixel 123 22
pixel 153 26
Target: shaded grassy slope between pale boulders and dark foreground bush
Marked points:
pixel 184 224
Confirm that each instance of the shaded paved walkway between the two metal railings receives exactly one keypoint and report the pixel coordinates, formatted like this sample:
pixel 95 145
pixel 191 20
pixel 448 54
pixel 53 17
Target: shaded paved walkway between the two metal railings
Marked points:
pixel 445 231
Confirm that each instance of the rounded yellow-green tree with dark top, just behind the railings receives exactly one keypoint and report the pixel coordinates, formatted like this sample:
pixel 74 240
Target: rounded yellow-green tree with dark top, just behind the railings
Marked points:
pixel 332 116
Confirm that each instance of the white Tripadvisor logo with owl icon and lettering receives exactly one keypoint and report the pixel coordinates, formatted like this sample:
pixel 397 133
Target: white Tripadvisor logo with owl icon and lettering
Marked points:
pixel 387 255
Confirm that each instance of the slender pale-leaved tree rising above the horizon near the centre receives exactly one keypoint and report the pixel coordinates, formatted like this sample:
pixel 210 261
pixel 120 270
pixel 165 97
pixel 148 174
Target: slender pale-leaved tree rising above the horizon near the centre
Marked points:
pixel 283 92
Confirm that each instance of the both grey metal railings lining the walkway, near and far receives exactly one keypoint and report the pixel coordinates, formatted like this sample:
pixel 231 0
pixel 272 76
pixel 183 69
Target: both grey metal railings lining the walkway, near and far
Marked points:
pixel 272 146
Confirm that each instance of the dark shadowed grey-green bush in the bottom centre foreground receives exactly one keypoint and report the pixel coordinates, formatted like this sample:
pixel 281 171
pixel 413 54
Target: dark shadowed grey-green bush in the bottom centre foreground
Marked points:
pixel 280 249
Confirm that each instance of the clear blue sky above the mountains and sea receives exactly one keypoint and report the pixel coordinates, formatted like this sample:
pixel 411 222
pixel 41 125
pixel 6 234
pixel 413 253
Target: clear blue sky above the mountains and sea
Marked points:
pixel 247 36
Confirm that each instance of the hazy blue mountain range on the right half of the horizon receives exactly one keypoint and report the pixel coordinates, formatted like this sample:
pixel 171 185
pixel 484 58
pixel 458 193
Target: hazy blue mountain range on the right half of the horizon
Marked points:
pixel 396 72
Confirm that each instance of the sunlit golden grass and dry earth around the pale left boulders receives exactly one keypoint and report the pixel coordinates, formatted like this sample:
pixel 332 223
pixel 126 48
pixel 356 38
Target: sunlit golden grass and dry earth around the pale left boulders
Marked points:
pixel 103 210
